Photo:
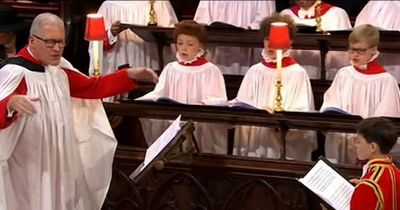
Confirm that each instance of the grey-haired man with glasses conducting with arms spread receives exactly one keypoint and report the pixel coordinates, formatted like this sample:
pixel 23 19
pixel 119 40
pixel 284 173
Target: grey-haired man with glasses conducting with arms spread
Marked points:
pixel 56 145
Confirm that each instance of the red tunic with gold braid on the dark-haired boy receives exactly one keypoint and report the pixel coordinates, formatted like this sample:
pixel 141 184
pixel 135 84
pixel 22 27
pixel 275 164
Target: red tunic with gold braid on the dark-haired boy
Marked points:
pixel 379 188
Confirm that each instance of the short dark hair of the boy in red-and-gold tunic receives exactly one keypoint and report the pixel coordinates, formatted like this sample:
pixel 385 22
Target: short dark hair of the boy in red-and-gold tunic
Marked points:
pixel 378 130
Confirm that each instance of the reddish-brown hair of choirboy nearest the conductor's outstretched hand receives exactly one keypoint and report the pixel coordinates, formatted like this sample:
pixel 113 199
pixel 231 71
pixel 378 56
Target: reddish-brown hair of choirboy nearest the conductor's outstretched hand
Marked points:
pixel 191 28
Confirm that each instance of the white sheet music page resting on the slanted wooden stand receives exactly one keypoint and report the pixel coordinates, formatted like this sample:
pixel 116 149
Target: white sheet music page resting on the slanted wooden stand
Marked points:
pixel 162 141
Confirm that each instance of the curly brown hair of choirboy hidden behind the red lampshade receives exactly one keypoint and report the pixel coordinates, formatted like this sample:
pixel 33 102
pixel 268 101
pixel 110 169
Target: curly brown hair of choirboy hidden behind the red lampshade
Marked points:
pixel 265 24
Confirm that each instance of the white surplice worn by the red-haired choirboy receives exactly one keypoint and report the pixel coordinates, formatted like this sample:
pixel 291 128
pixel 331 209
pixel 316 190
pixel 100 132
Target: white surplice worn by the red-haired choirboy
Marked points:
pixel 203 84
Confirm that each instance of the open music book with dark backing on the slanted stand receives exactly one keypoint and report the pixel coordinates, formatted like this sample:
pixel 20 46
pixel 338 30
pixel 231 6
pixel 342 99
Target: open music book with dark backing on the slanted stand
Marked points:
pixel 158 146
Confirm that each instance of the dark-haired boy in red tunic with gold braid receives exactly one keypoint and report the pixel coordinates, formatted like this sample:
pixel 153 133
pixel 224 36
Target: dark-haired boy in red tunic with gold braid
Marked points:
pixel 379 186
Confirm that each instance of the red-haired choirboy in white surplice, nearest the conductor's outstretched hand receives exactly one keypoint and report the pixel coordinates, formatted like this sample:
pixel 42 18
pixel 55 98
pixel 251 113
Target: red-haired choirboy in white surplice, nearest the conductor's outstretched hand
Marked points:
pixel 192 79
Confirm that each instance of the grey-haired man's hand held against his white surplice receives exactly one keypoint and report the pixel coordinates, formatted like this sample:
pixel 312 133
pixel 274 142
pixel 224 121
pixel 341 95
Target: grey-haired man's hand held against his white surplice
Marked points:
pixel 22 104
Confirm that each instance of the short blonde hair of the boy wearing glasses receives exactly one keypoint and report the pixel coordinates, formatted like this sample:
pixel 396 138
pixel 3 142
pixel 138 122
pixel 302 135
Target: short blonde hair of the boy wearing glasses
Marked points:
pixel 365 33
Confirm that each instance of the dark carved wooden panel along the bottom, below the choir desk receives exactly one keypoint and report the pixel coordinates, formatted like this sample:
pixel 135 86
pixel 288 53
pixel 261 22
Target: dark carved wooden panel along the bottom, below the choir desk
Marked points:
pixel 212 182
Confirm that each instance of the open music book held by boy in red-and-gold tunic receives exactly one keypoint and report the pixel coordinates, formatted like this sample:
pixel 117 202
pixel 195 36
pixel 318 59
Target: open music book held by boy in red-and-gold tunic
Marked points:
pixel 325 181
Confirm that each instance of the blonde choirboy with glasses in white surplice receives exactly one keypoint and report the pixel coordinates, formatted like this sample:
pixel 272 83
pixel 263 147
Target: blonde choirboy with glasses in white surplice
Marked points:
pixel 364 88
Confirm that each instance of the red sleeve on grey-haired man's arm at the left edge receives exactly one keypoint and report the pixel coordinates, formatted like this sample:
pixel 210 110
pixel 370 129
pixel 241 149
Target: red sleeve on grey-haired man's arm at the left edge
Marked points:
pixel 4 120
